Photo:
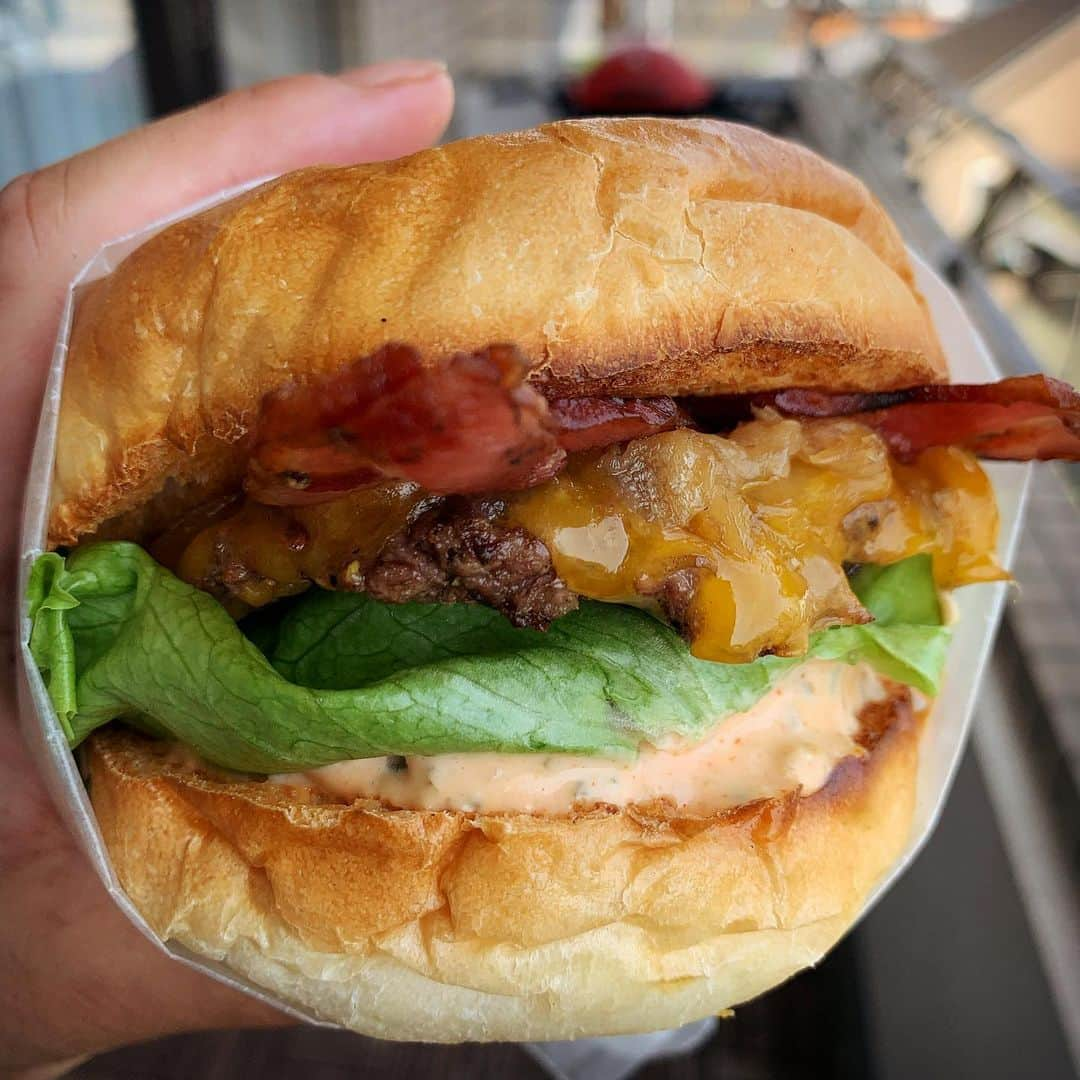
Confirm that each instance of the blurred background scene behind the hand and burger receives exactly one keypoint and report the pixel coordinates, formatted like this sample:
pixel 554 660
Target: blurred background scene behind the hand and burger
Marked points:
pixel 964 116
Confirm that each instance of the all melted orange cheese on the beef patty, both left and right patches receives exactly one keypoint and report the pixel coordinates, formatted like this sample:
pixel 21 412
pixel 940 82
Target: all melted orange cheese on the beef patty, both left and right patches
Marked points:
pixel 755 528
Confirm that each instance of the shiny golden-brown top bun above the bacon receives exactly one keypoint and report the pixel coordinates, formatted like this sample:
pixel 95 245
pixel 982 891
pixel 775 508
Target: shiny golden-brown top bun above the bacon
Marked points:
pixel 624 256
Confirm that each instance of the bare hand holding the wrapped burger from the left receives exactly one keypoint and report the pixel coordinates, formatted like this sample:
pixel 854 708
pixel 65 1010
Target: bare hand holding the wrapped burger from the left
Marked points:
pixel 76 978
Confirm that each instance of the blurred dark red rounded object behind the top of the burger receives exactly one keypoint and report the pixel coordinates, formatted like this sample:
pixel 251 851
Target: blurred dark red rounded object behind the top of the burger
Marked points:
pixel 641 79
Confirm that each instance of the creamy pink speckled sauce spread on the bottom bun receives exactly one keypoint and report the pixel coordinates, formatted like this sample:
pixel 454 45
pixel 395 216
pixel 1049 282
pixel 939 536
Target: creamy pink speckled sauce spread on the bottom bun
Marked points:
pixel 791 740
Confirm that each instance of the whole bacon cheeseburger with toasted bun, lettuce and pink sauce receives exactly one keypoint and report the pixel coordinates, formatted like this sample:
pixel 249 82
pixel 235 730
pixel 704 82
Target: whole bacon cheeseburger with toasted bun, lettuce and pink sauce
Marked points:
pixel 517 570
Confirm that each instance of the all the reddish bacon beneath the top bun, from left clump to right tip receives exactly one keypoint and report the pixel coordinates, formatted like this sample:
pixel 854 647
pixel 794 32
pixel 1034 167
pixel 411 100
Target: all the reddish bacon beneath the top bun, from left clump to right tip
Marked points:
pixel 472 425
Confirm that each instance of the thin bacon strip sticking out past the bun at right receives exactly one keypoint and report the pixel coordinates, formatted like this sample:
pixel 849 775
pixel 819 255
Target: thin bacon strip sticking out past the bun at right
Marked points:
pixel 1030 418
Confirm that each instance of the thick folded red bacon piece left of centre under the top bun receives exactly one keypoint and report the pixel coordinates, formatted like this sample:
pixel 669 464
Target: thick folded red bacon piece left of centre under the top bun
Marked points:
pixel 468 425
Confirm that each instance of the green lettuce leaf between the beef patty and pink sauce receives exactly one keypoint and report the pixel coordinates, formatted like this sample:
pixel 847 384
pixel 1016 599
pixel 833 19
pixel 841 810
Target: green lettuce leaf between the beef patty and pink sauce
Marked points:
pixel 333 676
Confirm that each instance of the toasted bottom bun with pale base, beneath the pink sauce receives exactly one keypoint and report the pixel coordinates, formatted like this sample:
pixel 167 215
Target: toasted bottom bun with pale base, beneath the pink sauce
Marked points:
pixel 447 927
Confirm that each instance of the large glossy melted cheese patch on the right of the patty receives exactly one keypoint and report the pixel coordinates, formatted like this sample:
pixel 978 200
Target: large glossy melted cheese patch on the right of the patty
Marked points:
pixel 765 521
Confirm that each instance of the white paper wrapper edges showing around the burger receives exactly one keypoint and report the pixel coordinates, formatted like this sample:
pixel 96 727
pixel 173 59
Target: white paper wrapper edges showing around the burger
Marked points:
pixel 980 610
